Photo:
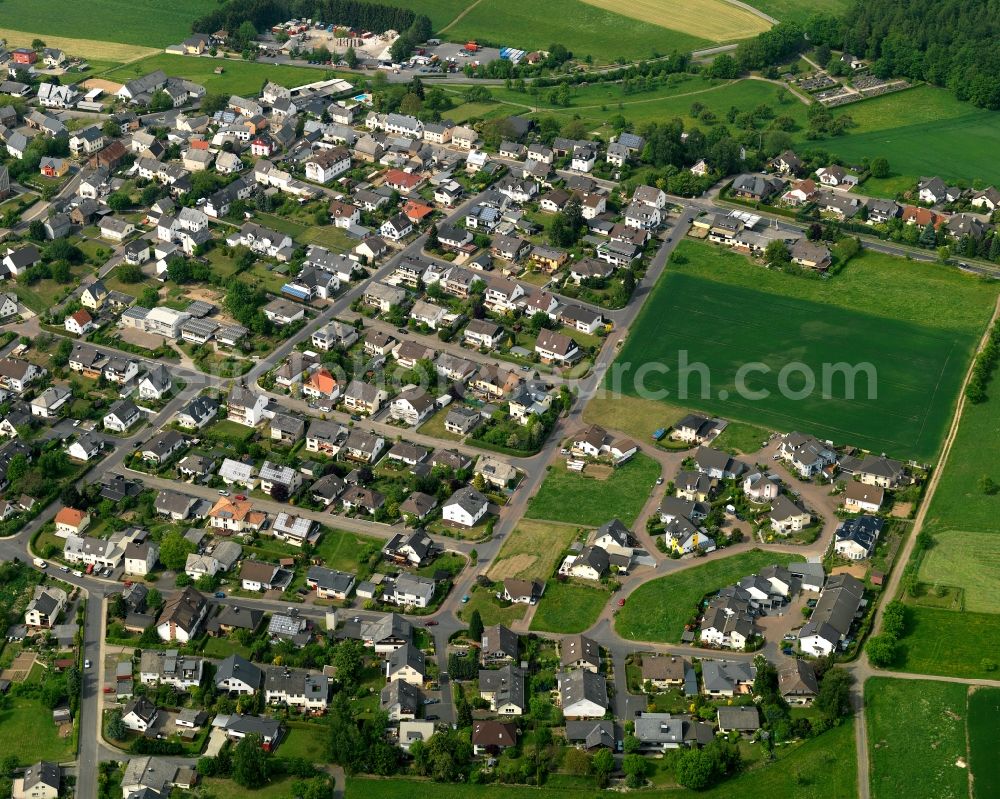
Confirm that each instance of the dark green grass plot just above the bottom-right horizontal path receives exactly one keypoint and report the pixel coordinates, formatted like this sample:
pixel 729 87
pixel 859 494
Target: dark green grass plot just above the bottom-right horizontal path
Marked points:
pixel 949 643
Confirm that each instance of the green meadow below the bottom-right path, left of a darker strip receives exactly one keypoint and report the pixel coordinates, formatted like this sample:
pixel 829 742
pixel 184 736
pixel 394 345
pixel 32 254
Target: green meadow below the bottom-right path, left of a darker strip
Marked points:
pixel 916 732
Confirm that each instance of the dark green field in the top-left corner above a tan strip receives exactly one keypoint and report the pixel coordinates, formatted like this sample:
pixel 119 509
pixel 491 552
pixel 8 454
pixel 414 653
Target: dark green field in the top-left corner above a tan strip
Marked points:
pixel 149 23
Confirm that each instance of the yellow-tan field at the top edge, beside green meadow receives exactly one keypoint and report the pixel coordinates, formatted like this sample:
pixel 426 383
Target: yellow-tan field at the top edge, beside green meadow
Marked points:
pixel 716 20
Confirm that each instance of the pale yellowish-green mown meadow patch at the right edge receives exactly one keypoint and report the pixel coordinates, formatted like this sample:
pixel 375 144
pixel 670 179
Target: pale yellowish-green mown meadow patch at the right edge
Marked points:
pixel 970 561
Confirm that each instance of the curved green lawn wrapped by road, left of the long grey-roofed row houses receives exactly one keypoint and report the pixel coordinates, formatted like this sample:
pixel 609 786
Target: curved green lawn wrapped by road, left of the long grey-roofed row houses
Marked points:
pixel 659 609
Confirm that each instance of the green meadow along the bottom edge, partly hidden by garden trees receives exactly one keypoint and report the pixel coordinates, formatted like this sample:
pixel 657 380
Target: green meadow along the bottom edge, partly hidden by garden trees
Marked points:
pixel 824 767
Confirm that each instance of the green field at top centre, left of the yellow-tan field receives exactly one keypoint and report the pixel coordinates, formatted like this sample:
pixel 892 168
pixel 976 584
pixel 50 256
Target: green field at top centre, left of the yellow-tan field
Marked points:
pixel 583 29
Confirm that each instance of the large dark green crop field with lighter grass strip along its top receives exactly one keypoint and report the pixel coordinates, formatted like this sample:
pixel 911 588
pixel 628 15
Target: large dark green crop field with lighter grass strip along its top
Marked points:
pixel 902 318
